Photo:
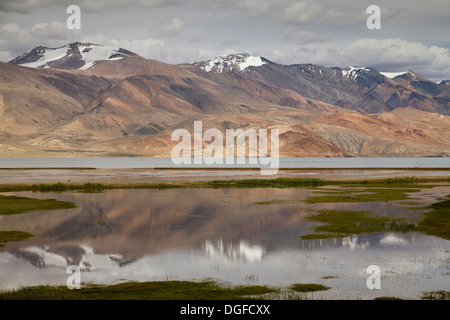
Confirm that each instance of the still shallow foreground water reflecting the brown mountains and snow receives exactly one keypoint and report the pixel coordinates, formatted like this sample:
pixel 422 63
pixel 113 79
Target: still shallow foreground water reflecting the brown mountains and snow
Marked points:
pixel 223 234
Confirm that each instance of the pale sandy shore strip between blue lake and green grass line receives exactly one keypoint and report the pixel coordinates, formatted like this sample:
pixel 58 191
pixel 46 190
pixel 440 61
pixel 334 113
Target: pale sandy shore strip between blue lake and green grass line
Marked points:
pixel 149 176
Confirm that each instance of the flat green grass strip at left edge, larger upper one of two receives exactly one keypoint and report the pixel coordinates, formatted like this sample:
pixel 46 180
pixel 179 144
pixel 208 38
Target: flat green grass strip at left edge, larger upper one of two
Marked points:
pixel 15 205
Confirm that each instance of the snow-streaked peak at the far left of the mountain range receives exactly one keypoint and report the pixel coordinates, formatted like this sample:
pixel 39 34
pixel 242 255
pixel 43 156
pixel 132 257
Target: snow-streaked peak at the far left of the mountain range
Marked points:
pixel 72 56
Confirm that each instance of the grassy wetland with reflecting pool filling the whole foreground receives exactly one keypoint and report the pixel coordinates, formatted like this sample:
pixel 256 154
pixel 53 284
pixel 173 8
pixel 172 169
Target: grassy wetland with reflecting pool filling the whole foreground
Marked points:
pixel 257 234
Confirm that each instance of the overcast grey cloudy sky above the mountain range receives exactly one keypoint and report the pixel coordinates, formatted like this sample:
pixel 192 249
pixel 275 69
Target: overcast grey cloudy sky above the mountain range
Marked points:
pixel 414 35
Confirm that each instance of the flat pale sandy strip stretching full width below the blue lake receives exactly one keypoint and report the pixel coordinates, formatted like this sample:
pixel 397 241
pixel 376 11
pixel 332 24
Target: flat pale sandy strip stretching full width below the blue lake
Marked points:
pixel 12 176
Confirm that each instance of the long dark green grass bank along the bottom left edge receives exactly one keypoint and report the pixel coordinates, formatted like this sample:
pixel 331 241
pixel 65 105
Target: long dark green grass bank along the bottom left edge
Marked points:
pixel 159 290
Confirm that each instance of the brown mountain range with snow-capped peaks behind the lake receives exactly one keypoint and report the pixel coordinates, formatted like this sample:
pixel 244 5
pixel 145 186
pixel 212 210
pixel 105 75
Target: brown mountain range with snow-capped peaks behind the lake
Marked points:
pixel 84 99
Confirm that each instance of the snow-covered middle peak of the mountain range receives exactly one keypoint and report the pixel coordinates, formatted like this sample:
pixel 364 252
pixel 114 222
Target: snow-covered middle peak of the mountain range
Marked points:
pixel 231 62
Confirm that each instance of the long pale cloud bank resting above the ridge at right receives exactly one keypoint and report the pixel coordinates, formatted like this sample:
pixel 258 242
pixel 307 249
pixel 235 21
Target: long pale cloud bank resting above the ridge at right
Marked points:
pixel 388 55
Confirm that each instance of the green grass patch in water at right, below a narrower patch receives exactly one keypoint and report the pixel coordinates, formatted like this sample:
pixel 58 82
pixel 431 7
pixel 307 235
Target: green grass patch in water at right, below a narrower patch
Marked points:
pixel 342 223
